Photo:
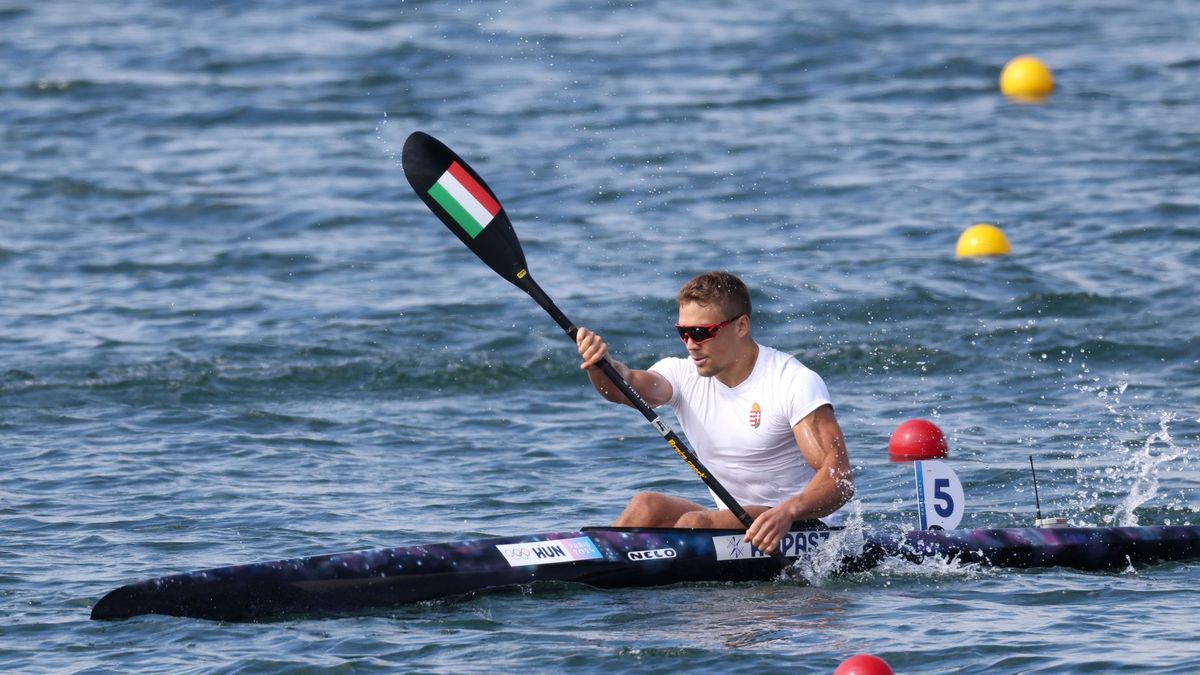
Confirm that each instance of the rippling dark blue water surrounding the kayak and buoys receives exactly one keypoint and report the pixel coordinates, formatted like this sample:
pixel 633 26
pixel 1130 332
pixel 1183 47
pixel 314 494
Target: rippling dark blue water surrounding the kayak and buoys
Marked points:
pixel 232 333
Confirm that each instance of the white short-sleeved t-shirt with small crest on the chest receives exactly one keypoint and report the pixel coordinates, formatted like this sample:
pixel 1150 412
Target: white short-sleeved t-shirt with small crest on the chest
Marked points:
pixel 745 434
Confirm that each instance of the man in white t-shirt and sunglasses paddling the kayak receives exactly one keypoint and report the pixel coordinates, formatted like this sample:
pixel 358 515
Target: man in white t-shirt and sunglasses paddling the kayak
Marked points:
pixel 759 420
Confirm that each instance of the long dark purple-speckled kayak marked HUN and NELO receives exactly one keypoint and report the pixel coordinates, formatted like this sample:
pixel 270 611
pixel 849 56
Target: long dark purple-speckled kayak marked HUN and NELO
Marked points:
pixel 613 558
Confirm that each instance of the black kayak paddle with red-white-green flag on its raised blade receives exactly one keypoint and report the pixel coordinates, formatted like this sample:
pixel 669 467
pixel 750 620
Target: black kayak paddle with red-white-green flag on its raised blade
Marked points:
pixel 469 207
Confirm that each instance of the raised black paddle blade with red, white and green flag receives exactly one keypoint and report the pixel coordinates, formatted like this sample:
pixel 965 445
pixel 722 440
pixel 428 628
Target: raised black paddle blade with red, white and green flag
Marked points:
pixel 465 204
